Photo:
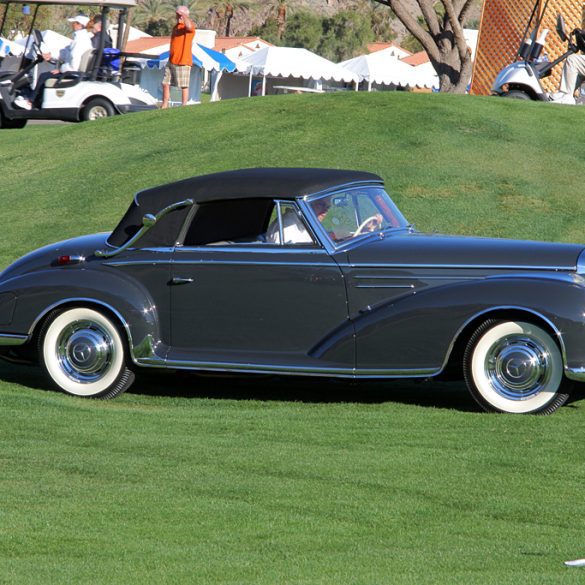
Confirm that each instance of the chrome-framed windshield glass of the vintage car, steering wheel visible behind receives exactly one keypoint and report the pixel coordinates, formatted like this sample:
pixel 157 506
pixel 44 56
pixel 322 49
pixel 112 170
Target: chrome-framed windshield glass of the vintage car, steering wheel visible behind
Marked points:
pixel 356 212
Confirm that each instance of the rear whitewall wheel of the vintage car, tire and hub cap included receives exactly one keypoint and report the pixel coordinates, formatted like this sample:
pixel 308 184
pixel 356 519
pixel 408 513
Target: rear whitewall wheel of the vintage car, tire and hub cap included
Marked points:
pixel 84 354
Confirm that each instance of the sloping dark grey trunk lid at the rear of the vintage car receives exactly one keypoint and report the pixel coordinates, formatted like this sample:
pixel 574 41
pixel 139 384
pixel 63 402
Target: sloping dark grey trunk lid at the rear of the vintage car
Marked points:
pixel 46 256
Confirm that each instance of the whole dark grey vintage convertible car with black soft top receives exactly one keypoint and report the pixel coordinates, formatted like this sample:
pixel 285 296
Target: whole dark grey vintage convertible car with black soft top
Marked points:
pixel 298 271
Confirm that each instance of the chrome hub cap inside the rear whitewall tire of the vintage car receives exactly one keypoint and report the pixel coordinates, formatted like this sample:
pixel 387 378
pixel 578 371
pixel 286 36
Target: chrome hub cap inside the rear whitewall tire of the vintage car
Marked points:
pixel 85 351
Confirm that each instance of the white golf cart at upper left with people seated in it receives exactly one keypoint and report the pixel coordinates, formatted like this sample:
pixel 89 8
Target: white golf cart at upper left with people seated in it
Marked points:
pixel 105 85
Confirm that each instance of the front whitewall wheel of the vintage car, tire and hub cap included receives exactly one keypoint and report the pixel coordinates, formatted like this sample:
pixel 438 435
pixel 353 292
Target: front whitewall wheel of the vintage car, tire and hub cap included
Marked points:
pixel 515 367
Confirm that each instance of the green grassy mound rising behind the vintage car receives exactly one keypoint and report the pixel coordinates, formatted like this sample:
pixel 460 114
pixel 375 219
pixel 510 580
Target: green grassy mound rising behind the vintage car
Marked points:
pixel 453 163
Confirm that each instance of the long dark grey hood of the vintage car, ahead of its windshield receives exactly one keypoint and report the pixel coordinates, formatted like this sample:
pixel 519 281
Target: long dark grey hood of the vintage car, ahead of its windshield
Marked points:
pixel 424 250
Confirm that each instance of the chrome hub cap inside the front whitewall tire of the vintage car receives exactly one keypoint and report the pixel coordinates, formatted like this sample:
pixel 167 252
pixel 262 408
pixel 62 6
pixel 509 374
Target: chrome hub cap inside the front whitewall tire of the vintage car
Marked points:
pixel 518 367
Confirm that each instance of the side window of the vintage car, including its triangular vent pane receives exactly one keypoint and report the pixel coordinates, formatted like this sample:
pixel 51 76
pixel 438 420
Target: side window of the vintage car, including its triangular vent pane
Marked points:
pixel 257 221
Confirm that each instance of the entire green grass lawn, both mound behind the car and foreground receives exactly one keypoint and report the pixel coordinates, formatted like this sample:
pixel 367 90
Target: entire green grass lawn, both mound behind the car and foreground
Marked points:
pixel 267 480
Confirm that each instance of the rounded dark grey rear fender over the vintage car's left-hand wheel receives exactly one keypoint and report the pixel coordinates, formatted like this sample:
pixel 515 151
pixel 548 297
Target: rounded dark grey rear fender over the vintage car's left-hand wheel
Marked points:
pixel 31 297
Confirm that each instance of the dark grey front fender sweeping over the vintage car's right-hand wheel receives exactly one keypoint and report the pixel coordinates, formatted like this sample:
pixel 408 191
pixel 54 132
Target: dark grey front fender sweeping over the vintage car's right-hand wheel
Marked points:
pixel 418 331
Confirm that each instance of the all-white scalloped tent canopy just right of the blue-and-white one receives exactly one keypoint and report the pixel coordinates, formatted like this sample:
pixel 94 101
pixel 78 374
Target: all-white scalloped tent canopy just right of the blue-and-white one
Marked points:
pixel 292 62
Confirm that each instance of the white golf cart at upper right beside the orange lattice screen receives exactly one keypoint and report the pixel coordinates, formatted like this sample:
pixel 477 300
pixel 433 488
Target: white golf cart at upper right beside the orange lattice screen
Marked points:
pixel 522 79
